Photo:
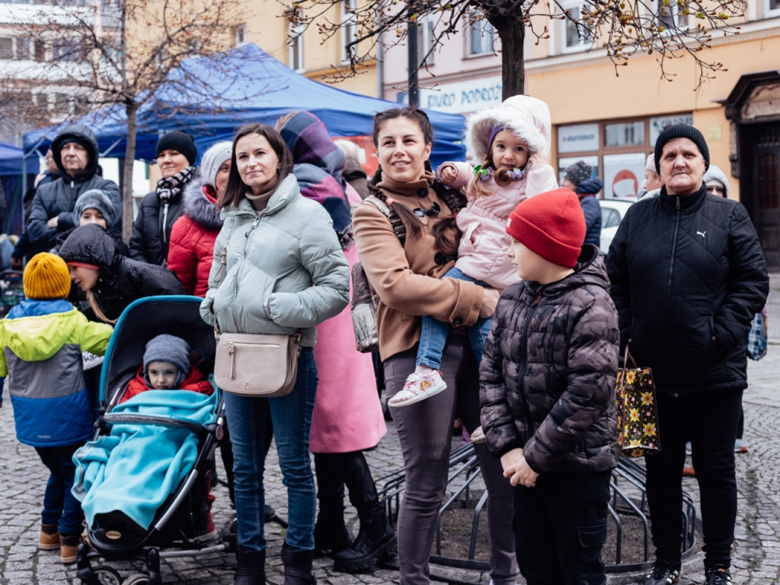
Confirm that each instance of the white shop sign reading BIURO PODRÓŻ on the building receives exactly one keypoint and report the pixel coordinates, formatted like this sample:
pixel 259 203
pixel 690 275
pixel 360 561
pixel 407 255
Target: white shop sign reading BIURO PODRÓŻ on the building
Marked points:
pixel 462 97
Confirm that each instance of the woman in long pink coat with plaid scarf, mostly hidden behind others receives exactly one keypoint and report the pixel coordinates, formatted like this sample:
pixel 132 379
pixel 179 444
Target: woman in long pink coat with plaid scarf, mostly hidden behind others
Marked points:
pixel 347 415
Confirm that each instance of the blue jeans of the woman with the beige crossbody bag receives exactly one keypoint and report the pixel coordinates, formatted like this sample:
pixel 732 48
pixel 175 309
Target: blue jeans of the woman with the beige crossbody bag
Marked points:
pixel 291 416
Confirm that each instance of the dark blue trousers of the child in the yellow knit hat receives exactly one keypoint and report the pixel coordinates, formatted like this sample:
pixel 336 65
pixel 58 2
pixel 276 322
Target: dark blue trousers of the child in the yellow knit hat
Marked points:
pixel 59 505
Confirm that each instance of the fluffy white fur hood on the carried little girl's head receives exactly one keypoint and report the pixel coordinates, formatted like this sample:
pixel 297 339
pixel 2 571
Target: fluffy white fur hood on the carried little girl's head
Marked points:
pixel 527 117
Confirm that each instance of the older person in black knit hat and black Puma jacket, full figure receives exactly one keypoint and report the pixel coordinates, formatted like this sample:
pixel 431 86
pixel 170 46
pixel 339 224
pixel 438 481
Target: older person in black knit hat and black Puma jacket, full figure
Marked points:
pixel 688 275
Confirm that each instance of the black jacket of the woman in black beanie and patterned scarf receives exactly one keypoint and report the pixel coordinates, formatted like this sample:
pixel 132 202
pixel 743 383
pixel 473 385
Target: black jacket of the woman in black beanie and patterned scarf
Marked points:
pixel 150 239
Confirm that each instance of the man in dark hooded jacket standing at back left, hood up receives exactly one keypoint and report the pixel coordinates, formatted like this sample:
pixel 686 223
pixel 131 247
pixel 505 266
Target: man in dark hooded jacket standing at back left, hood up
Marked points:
pixel 76 152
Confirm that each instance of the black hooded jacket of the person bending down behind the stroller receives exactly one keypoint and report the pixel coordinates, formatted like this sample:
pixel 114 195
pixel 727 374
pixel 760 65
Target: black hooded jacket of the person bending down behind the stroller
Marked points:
pixel 121 280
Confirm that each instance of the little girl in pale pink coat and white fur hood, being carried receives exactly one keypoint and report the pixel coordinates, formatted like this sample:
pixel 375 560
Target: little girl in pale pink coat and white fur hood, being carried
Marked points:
pixel 510 142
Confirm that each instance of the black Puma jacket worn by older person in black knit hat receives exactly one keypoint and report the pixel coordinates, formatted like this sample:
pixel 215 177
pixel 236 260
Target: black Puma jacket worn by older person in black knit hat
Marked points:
pixel 688 275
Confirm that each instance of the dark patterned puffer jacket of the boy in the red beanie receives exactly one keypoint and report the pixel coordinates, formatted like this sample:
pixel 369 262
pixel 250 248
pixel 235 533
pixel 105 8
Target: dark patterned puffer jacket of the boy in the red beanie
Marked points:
pixel 547 376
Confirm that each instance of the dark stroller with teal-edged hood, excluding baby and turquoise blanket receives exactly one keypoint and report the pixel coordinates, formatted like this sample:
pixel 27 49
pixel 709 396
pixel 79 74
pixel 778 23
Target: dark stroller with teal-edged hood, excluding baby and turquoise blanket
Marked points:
pixel 176 522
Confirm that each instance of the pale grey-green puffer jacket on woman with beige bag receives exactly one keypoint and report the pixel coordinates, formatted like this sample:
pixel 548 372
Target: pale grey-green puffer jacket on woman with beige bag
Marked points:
pixel 285 269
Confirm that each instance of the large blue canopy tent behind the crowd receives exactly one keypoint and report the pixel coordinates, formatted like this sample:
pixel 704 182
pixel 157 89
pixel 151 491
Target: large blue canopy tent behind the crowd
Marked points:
pixel 248 86
